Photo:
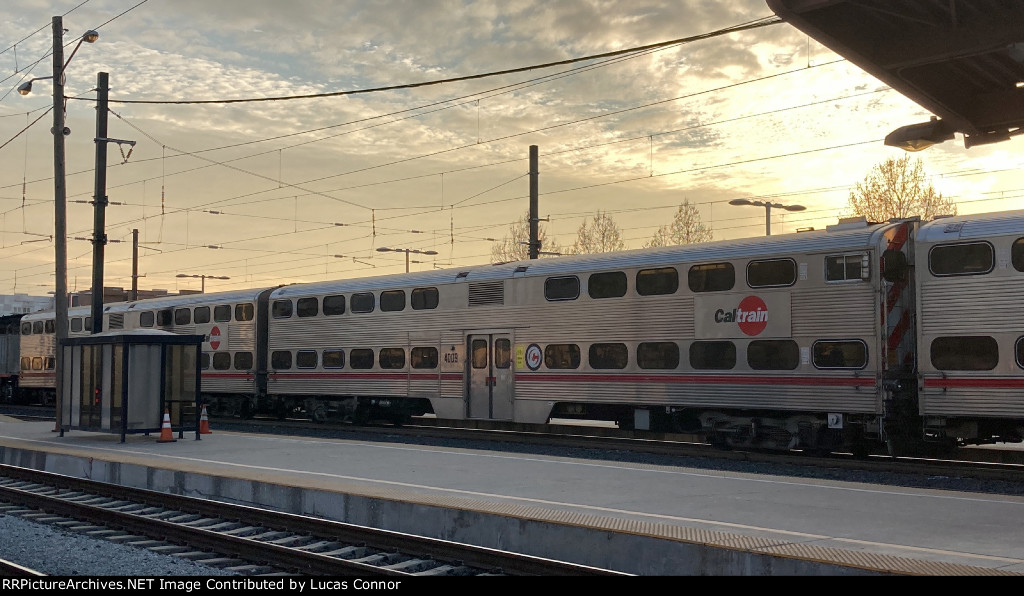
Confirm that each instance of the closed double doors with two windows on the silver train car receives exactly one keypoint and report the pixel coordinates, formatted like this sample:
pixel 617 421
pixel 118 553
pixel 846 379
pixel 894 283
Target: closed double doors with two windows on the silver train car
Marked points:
pixel 491 376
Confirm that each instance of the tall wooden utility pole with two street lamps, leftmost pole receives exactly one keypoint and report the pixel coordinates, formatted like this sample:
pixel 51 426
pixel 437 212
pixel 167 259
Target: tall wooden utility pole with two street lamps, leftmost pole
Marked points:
pixel 60 219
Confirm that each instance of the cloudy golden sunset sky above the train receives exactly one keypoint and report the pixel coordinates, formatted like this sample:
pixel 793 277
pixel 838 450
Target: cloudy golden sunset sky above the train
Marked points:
pixel 307 190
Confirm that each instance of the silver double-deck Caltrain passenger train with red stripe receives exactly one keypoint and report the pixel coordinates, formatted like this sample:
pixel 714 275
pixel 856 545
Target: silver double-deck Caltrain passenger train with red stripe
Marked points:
pixel 864 337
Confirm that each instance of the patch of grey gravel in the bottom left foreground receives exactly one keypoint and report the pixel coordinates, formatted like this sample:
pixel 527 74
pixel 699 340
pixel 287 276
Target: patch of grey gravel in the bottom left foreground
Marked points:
pixel 57 552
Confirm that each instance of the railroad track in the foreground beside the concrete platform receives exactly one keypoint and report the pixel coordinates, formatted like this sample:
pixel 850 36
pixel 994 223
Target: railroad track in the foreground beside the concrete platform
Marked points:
pixel 251 541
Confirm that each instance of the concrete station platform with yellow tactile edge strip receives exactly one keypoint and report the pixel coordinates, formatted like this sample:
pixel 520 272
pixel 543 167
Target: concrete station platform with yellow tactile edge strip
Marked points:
pixel 638 519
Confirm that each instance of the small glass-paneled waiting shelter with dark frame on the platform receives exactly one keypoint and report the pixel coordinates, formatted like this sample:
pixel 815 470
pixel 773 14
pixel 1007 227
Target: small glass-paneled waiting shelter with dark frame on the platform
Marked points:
pixel 123 382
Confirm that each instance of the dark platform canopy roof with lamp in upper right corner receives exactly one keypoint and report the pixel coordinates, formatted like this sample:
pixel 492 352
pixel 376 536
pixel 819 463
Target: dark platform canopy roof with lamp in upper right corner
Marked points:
pixel 961 60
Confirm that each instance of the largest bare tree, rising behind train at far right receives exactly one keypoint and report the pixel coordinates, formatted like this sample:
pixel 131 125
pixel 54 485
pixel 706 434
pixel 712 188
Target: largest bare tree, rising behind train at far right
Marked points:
pixel 898 188
